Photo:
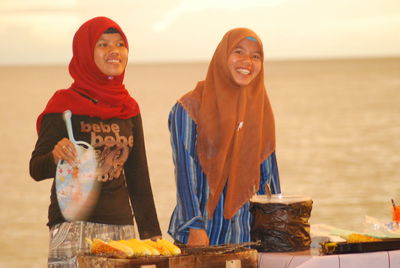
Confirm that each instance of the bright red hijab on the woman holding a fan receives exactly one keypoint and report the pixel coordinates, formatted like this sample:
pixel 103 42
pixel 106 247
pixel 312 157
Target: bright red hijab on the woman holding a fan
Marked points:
pixel 92 93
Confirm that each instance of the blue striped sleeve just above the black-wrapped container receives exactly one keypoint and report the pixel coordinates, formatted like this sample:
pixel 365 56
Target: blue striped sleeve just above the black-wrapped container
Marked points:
pixel 269 174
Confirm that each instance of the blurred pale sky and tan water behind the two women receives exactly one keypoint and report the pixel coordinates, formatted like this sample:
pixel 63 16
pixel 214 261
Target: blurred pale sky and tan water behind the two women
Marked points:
pixel 332 73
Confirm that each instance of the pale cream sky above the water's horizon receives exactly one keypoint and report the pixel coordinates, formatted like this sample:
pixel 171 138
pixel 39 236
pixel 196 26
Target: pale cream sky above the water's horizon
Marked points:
pixel 38 32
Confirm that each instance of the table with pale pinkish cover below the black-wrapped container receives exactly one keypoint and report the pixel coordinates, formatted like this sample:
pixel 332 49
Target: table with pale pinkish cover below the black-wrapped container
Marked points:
pixel 312 259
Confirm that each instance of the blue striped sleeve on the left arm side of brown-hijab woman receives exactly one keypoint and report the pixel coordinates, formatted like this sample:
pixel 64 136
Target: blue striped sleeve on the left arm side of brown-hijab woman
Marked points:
pixel 188 173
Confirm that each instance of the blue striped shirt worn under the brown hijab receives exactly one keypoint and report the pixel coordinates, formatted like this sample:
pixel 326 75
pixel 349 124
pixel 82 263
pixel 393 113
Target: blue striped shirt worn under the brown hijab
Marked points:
pixel 193 191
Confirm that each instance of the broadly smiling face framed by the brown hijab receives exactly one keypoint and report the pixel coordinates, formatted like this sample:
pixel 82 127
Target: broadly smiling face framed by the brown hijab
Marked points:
pixel 244 62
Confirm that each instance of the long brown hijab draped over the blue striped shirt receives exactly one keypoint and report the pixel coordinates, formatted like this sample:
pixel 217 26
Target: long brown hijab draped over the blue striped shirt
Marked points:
pixel 235 125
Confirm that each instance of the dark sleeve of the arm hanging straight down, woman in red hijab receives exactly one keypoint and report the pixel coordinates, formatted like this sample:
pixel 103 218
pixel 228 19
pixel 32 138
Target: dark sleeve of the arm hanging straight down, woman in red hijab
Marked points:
pixel 139 186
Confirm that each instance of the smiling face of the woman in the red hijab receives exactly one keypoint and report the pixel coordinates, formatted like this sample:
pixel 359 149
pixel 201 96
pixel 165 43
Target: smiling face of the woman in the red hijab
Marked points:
pixel 111 54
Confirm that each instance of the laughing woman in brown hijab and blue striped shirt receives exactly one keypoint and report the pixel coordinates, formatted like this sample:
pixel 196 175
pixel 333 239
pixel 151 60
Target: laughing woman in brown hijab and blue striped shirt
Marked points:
pixel 223 141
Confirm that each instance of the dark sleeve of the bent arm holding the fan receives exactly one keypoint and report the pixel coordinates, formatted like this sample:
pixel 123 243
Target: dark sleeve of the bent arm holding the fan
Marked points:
pixel 41 165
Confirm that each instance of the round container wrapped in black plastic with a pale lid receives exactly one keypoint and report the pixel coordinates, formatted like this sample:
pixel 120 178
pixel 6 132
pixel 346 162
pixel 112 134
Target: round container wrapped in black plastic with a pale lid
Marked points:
pixel 281 222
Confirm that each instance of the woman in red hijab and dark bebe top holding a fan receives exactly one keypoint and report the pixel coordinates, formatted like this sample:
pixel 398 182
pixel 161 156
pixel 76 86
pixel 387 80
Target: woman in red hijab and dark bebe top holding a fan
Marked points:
pixel 108 118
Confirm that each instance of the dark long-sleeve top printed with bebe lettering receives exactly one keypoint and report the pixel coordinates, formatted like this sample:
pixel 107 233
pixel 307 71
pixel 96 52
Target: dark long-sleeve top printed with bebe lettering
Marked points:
pixel 120 149
